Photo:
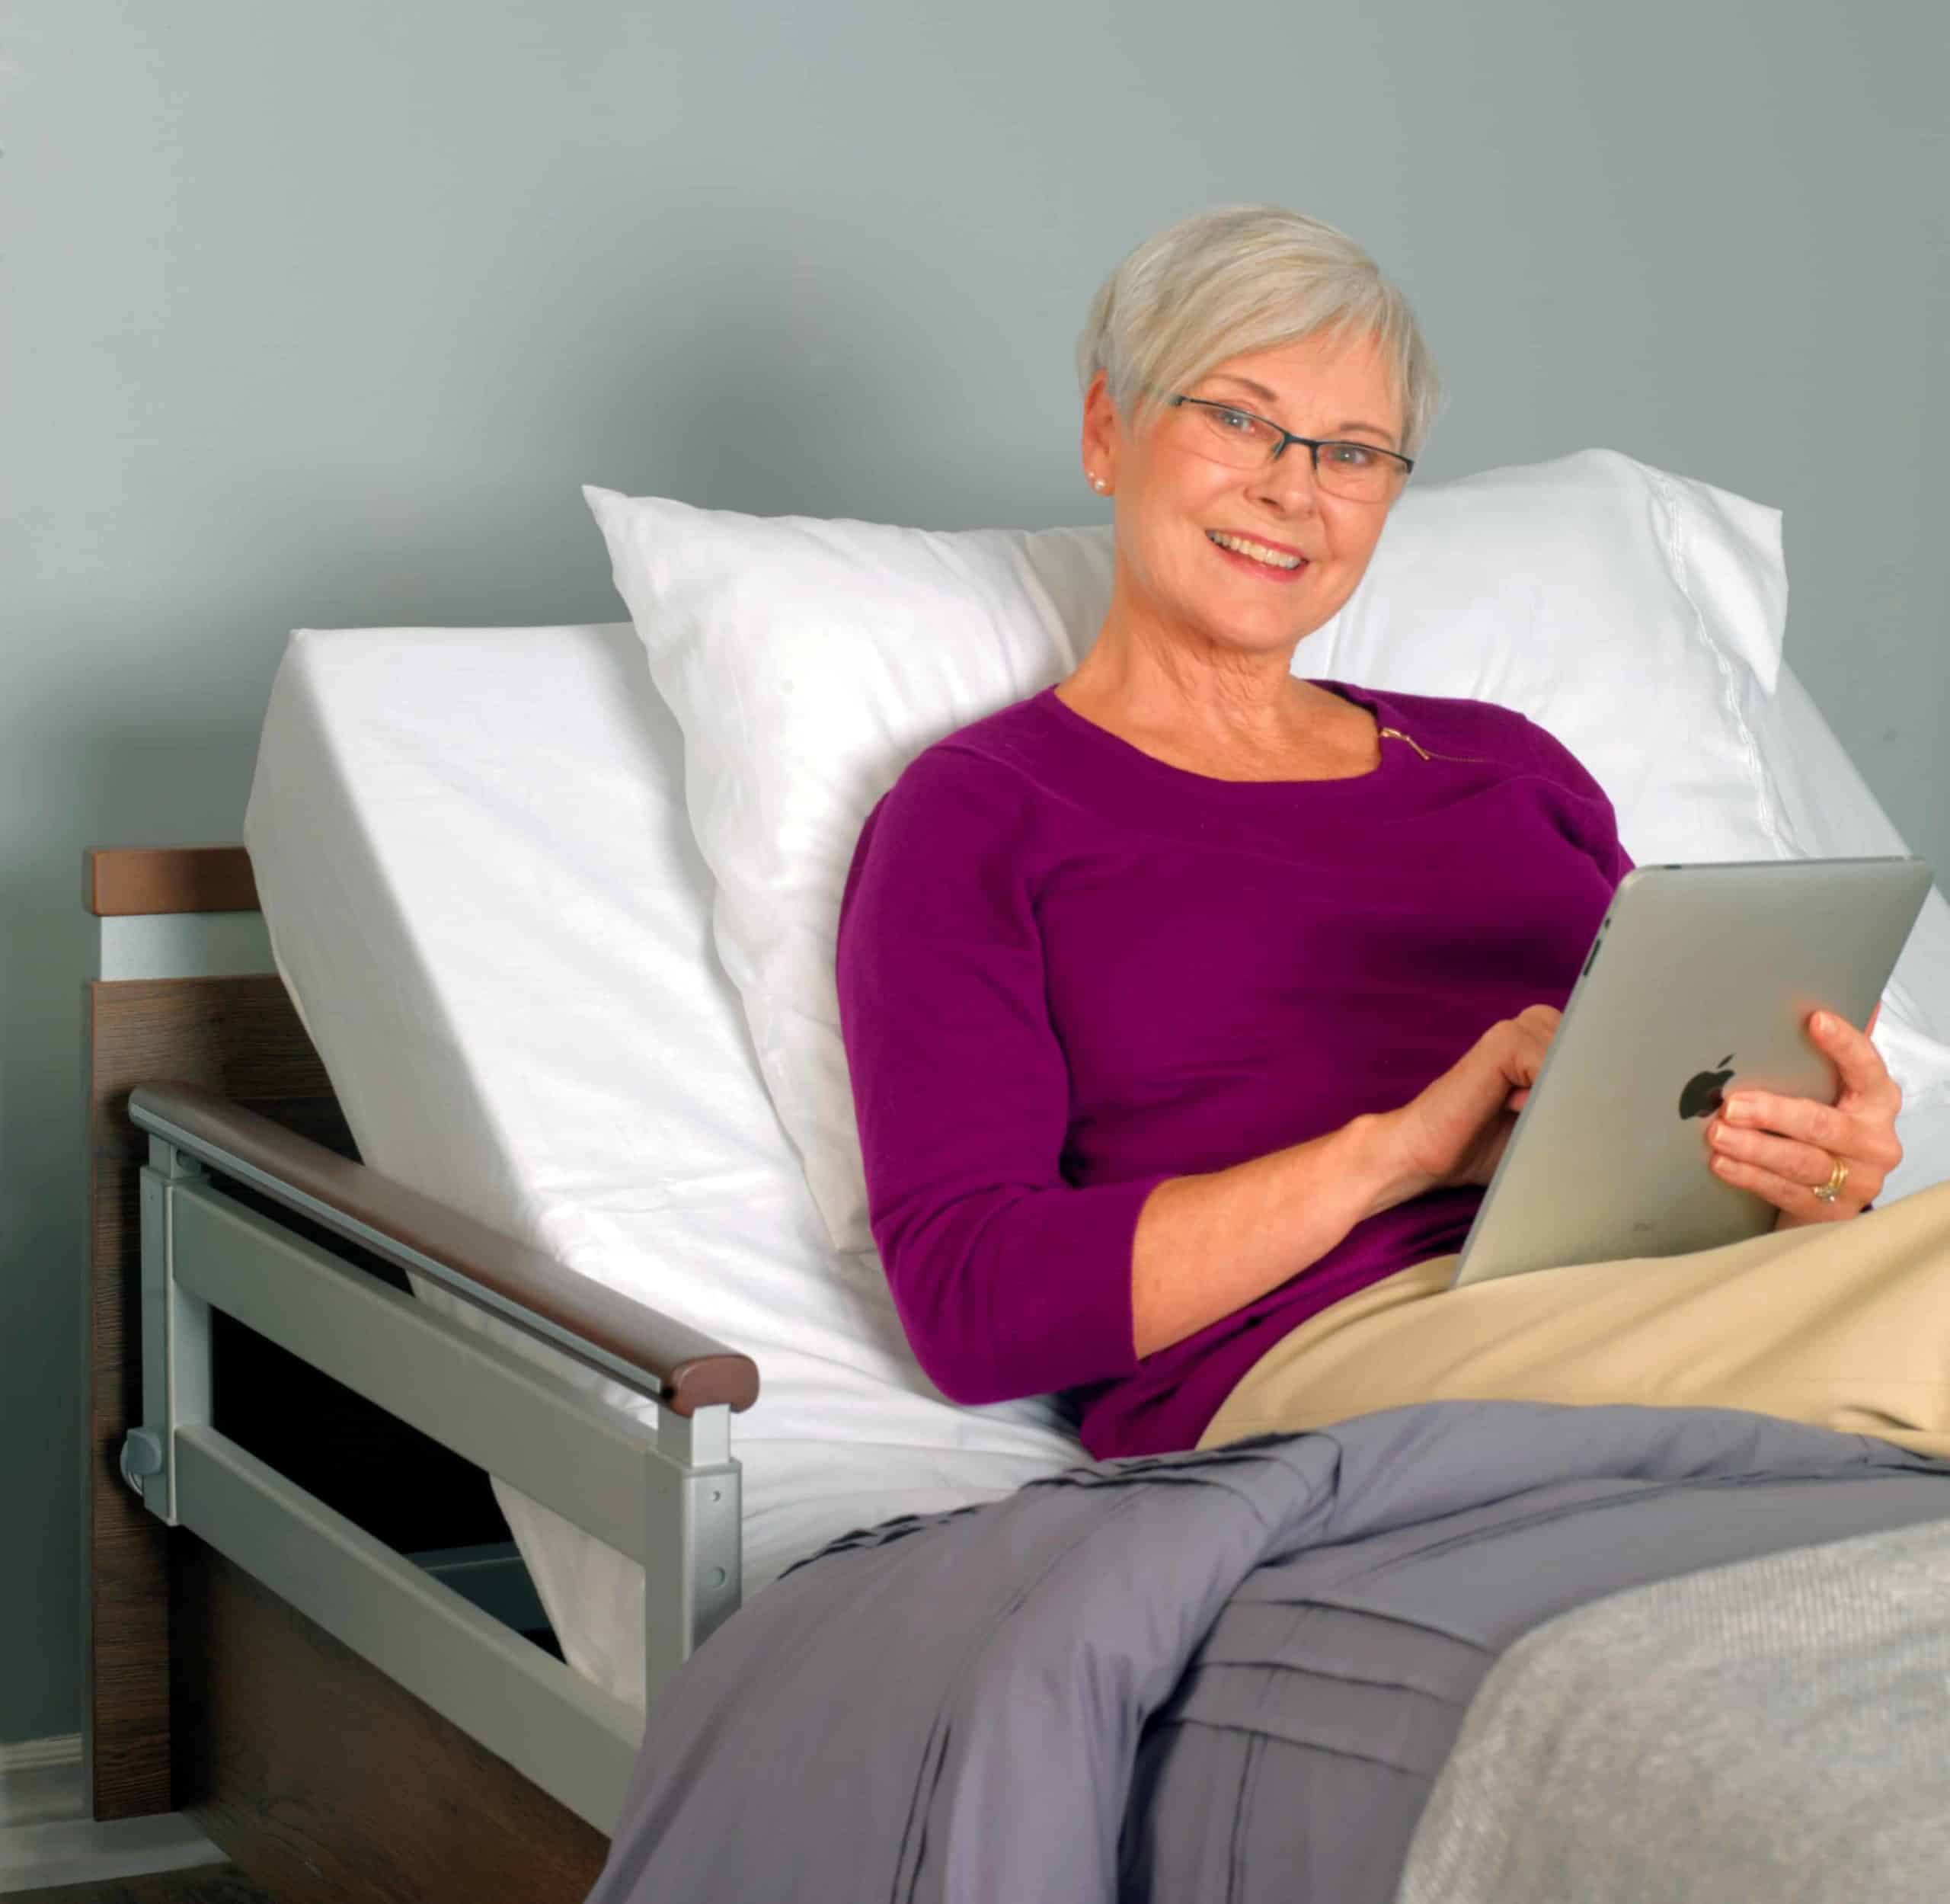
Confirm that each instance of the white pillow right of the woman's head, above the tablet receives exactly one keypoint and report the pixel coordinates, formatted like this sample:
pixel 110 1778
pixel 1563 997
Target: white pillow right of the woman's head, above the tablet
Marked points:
pixel 1633 614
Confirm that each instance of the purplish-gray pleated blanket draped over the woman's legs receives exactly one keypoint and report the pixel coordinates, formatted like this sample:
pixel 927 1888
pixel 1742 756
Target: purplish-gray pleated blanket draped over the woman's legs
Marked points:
pixel 1229 1675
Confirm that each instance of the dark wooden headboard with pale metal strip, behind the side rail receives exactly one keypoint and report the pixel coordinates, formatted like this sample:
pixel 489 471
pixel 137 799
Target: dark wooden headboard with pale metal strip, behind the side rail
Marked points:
pixel 184 988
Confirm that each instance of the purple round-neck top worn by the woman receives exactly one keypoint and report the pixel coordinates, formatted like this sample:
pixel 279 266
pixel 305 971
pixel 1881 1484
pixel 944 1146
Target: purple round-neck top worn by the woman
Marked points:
pixel 1070 972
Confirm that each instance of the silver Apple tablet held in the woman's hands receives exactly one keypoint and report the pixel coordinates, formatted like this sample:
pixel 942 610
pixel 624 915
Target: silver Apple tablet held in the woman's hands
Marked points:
pixel 1699 980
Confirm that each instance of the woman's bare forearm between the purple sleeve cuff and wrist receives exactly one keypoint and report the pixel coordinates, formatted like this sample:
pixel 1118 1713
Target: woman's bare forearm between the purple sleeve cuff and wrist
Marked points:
pixel 1208 1246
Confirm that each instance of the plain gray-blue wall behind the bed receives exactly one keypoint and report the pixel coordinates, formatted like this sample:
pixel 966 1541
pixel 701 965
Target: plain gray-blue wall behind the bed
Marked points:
pixel 321 315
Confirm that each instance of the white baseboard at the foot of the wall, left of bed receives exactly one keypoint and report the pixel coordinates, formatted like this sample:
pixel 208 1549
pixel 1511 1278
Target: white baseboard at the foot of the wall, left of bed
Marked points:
pixel 48 1837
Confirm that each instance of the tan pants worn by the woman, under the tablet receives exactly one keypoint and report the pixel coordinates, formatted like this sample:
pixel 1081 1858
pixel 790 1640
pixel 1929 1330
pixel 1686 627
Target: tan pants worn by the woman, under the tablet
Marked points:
pixel 1840 1326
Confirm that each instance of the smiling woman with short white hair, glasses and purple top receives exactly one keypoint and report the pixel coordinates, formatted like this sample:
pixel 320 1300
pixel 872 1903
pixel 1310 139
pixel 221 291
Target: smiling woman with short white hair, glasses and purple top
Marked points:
pixel 1189 1004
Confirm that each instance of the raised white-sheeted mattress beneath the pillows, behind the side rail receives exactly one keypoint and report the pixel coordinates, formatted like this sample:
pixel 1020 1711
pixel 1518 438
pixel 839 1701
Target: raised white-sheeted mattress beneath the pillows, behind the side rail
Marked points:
pixel 492 918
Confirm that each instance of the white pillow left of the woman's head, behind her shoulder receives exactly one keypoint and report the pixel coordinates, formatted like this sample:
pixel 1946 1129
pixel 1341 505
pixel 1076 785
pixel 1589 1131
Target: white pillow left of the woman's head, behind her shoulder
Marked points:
pixel 808 662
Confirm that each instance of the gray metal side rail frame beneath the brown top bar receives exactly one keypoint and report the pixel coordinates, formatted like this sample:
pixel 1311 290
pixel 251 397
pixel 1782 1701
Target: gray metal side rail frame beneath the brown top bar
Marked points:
pixel 664 1493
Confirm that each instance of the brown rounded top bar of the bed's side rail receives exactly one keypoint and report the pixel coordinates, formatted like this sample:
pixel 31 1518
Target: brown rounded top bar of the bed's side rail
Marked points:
pixel 687 1368
